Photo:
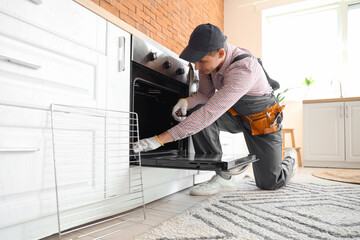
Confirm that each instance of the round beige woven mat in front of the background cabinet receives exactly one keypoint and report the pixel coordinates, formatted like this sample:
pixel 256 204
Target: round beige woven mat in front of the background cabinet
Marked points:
pixel 339 175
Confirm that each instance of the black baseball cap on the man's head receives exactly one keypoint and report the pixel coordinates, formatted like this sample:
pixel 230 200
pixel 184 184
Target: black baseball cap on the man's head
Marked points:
pixel 204 39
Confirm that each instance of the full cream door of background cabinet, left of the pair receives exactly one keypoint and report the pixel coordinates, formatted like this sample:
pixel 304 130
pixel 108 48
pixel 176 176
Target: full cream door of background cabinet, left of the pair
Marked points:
pixel 324 132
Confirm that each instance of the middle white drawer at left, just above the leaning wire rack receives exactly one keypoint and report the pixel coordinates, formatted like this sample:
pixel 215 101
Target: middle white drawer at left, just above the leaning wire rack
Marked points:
pixel 40 68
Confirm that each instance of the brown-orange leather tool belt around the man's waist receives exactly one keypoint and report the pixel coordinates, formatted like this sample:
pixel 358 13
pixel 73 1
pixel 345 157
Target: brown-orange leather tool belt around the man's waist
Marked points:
pixel 263 122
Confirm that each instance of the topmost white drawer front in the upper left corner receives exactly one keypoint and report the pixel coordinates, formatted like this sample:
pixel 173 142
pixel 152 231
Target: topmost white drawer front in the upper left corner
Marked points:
pixel 64 18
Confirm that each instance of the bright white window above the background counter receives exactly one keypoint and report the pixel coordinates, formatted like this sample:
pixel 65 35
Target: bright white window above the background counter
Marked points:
pixel 321 42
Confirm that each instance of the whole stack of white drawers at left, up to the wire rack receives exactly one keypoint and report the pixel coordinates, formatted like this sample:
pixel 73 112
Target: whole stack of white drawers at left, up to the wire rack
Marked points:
pixel 46 56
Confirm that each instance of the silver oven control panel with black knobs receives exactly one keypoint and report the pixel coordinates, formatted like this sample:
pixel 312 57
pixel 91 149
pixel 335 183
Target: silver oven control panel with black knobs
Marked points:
pixel 159 59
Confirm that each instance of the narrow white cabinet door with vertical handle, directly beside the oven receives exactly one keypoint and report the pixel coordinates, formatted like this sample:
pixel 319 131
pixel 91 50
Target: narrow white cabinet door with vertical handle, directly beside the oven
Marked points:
pixel 118 98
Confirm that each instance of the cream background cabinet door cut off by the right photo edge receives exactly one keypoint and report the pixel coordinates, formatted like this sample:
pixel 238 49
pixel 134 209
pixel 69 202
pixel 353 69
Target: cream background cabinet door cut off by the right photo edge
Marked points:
pixel 352 125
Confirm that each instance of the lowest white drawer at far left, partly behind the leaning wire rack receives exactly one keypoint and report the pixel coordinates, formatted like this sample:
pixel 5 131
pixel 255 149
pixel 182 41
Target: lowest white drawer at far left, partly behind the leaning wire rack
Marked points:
pixel 26 165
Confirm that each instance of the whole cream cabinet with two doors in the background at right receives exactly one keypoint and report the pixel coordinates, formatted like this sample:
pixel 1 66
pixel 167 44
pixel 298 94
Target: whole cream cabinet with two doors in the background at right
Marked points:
pixel 332 133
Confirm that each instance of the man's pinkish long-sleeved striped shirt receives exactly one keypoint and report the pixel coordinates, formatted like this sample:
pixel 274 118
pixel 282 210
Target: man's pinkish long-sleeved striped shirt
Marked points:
pixel 222 91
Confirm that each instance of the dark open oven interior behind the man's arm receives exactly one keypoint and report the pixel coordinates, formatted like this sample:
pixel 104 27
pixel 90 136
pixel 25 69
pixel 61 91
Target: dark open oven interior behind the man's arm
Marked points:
pixel 153 97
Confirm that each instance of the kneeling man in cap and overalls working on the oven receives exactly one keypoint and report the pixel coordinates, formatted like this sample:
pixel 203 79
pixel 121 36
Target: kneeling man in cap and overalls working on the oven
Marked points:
pixel 235 96
